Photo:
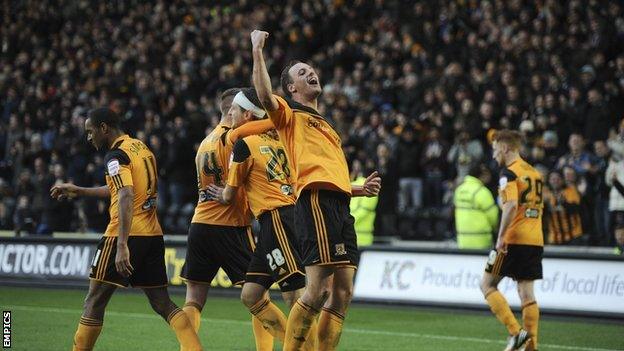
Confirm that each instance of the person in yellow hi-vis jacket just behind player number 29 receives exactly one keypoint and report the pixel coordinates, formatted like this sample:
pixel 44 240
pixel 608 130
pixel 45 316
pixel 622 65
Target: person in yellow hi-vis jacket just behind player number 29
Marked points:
pixel 476 212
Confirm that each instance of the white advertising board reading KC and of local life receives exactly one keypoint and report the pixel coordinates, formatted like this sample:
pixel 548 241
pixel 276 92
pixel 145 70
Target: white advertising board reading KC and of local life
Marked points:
pixel 576 284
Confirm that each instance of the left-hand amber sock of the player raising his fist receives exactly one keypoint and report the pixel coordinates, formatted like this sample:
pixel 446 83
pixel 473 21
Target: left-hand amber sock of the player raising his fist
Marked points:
pixel 298 328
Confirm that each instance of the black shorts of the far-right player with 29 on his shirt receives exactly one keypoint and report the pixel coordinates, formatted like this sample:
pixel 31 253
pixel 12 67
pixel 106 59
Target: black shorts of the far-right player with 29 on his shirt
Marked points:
pixel 522 262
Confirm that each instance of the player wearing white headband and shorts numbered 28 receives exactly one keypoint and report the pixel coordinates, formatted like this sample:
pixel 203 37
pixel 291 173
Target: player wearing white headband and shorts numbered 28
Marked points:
pixel 259 164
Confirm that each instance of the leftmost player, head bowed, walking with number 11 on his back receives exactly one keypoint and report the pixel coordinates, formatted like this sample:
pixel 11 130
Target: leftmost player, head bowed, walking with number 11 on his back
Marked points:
pixel 131 252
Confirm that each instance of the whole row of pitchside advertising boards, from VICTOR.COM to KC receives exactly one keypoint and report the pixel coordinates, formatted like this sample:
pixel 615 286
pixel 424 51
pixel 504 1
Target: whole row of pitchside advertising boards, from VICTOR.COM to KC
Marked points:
pixel 574 283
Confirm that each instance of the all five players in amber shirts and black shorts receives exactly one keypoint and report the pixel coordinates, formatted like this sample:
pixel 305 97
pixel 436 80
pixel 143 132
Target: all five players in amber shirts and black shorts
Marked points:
pixel 278 159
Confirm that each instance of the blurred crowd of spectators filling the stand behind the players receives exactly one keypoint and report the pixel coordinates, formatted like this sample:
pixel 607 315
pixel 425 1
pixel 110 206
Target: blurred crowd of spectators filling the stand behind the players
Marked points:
pixel 415 87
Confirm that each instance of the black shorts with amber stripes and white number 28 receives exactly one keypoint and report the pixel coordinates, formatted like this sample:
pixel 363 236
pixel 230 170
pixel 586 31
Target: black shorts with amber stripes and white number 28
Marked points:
pixel 276 258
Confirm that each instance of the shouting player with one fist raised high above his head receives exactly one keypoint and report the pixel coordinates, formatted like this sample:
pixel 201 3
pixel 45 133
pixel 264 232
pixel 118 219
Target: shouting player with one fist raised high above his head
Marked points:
pixel 325 231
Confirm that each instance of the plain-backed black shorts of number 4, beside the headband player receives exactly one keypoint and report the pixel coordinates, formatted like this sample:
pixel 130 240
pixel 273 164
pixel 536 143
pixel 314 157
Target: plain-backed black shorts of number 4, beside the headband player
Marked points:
pixel 211 247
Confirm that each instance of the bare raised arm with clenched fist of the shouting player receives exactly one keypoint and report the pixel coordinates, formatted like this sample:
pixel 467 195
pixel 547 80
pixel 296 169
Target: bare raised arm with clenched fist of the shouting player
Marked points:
pixel 261 79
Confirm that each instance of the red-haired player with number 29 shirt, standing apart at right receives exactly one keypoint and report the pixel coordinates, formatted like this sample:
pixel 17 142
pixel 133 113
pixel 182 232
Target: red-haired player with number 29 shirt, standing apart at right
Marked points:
pixel 520 243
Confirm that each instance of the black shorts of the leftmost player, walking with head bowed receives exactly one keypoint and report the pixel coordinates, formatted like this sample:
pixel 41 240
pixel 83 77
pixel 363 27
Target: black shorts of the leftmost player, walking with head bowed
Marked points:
pixel 147 257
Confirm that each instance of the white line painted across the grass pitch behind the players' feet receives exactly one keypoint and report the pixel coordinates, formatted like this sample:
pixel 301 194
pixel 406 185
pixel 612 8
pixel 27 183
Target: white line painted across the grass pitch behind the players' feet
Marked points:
pixel 346 330
